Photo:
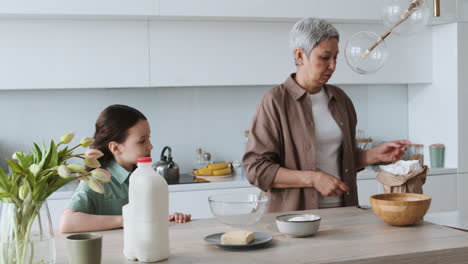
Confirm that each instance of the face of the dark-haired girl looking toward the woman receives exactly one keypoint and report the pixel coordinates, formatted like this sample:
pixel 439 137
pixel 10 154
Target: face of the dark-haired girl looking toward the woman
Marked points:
pixel 137 144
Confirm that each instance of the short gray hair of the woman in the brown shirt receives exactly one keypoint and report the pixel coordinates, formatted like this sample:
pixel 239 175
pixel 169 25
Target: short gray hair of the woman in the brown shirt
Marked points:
pixel 308 32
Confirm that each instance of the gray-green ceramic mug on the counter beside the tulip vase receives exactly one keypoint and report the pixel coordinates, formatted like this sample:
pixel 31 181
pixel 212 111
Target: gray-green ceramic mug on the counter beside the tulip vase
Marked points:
pixel 84 248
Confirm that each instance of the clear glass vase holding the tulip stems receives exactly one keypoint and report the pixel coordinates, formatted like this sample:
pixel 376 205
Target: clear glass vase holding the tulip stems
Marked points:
pixel 26 234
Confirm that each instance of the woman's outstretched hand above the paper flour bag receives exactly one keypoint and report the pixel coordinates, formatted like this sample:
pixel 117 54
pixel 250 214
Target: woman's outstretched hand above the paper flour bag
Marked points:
pixel 386 152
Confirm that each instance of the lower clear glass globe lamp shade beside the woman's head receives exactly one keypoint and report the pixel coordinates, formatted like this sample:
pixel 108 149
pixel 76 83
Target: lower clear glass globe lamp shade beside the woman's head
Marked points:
pixel 358 56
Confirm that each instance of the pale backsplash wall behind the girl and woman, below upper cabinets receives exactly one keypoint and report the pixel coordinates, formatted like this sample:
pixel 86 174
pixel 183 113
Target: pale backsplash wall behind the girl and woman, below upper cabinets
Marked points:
pixel 184 118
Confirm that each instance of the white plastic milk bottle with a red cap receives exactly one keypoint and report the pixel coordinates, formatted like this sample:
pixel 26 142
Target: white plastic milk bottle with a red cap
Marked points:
pixel 146 233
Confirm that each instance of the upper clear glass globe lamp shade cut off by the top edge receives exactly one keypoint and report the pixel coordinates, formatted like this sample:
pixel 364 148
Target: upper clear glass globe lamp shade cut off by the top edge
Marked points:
pixel 393 11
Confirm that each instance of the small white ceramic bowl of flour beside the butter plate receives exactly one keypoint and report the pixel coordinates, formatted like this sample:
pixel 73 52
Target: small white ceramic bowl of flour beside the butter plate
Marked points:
pixel 298 225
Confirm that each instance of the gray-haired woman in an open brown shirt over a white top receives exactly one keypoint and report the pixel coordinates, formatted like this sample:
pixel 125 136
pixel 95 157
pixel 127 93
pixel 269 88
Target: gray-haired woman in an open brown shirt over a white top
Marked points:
pixel 302 149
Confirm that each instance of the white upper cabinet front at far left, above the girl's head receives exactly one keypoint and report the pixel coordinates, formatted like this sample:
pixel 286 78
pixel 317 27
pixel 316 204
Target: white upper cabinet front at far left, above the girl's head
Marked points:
pixel 51 54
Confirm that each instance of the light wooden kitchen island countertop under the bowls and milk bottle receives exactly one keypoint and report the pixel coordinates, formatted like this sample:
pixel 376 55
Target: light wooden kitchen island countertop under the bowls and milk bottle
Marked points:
pixel 346 235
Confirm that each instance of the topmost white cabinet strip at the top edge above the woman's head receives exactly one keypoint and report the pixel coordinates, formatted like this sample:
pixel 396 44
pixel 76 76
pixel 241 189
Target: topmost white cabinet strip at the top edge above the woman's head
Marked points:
pixel 357 10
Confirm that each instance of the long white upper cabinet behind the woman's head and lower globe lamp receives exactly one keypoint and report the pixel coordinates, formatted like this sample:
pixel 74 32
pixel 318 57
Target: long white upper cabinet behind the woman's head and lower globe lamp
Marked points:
pixel 212 53
